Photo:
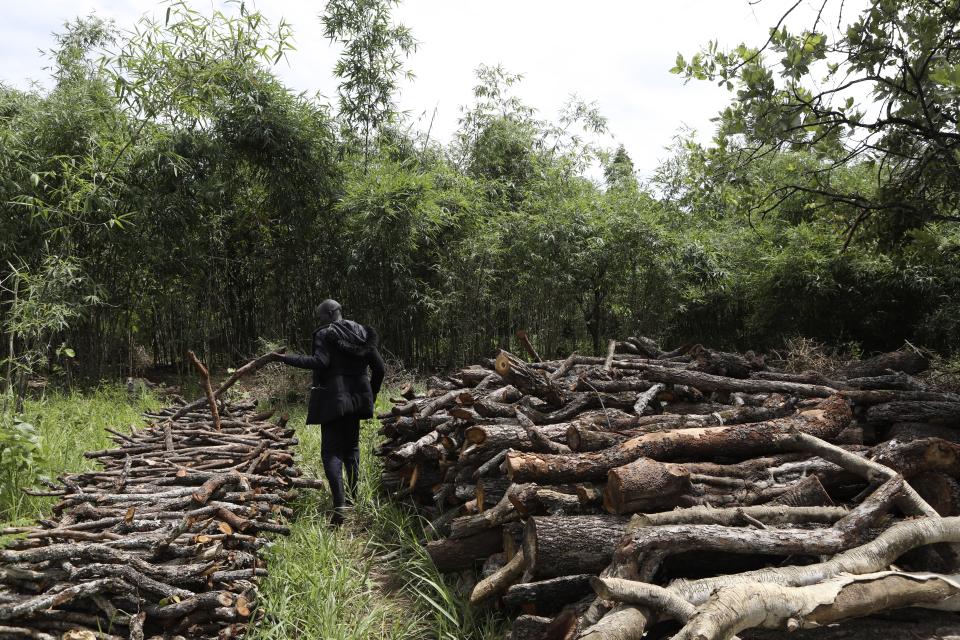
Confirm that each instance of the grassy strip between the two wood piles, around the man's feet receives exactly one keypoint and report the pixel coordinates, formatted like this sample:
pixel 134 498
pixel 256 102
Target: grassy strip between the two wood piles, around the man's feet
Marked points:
pixel 369 579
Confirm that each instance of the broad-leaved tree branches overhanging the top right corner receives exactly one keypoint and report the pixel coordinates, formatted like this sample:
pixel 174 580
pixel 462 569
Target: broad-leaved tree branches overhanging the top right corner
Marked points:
pixel 881 97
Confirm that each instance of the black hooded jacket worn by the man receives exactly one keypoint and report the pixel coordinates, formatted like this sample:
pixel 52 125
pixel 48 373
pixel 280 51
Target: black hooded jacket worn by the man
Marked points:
pixel 342 351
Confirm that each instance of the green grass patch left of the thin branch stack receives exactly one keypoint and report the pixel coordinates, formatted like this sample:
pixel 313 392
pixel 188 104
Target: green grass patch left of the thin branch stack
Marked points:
pixel 69 424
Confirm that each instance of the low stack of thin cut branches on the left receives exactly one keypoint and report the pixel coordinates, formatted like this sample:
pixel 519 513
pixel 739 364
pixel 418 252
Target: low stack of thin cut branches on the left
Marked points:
pixel 164 538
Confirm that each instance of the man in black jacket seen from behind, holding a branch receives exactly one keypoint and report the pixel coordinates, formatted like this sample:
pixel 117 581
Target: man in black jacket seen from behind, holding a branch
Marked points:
pixel 341 394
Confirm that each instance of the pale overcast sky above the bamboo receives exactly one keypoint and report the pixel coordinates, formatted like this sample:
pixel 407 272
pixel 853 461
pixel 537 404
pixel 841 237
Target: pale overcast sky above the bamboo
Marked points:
pixel 616 52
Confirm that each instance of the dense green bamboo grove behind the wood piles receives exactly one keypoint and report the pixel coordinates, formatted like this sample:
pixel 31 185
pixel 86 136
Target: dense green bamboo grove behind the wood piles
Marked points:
pixel 167 191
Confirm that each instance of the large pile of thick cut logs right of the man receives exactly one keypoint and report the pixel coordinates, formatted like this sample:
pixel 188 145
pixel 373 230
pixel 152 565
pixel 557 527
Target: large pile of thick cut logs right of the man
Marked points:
pixel 692 494
